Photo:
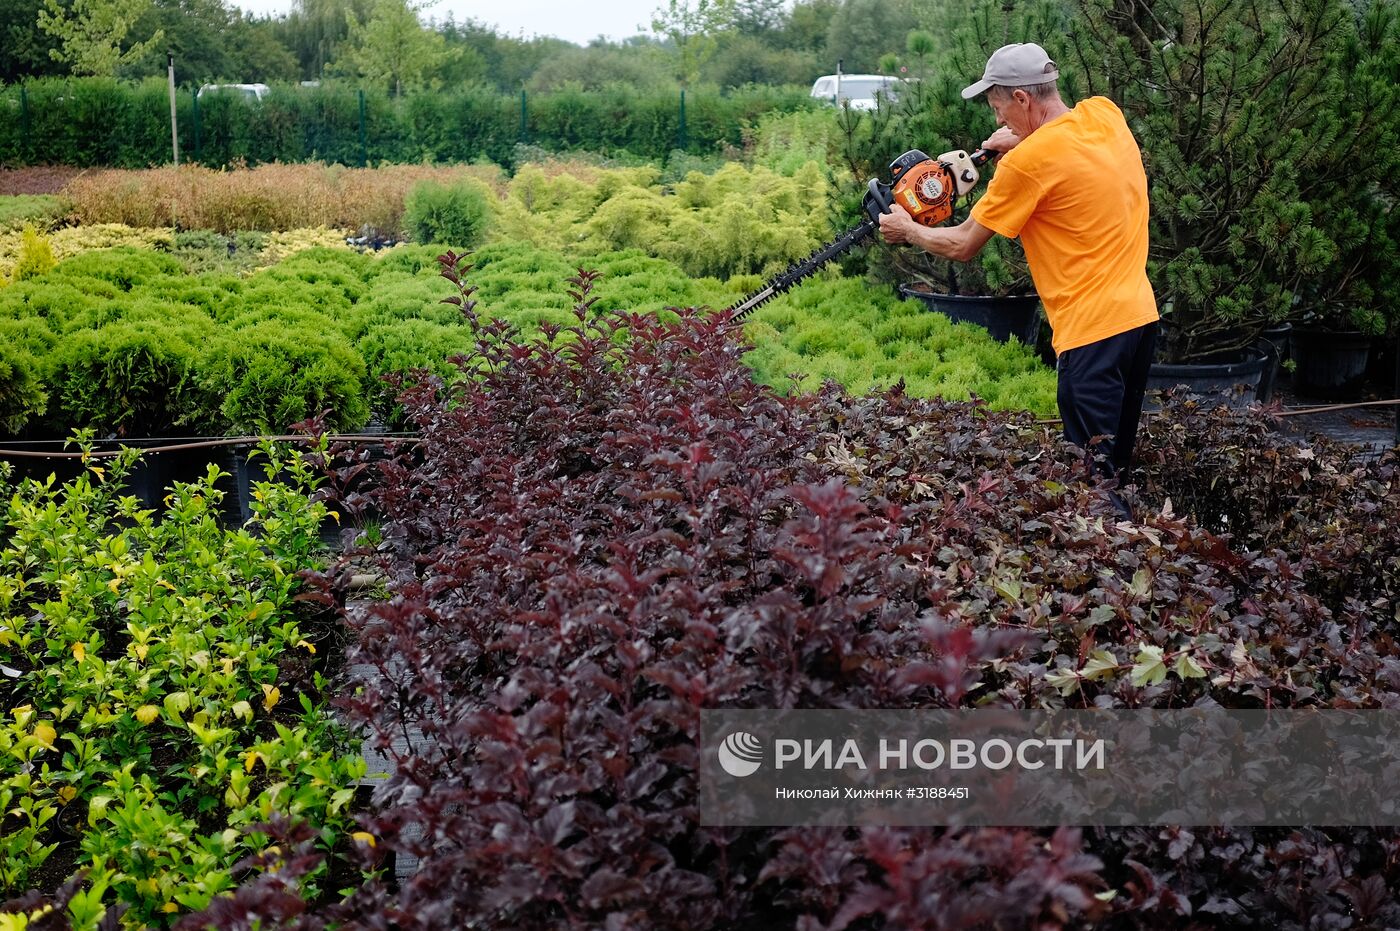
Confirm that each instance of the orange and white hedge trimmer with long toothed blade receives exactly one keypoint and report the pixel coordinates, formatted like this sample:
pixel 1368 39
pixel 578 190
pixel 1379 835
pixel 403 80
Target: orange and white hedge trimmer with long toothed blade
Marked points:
pixel 926 187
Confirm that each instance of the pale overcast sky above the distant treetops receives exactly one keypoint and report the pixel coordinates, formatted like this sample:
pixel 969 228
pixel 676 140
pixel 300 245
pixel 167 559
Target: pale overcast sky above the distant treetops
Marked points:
pixel 575 20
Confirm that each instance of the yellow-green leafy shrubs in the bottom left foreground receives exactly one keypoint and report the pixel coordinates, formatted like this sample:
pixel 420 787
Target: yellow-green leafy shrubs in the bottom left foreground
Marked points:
pixel 163 694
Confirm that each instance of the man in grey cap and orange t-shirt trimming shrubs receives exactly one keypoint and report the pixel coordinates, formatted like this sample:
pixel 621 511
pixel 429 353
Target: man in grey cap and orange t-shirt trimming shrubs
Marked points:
pixel 1072 187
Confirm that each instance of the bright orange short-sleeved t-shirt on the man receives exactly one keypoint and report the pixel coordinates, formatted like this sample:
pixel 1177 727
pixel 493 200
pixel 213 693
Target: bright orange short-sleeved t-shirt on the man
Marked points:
pixel 1076 194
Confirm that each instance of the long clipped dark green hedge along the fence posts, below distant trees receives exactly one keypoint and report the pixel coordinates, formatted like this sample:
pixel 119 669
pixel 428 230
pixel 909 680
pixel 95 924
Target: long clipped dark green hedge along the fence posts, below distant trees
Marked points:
pixel 100 122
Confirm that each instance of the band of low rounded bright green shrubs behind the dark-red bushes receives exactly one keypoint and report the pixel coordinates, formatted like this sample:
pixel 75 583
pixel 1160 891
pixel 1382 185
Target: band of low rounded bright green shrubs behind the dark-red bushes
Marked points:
pixel 129 344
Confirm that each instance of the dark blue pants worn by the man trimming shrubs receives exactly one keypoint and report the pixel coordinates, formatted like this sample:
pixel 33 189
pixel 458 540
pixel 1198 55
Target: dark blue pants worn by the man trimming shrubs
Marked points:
pixel 1101 394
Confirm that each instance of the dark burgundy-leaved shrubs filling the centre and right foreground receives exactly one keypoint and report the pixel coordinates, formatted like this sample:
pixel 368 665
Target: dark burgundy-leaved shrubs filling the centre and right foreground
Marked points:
pixel 590 547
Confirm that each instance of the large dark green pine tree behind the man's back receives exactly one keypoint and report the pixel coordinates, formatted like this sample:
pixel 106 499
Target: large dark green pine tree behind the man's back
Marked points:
pixel 1266 127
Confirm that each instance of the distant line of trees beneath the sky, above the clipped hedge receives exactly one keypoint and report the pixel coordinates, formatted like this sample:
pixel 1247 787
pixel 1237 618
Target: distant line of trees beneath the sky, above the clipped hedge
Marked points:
pixel 397 44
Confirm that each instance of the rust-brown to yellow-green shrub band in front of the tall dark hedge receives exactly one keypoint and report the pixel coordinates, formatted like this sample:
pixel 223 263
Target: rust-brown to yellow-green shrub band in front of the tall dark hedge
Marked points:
pixel 729 222
